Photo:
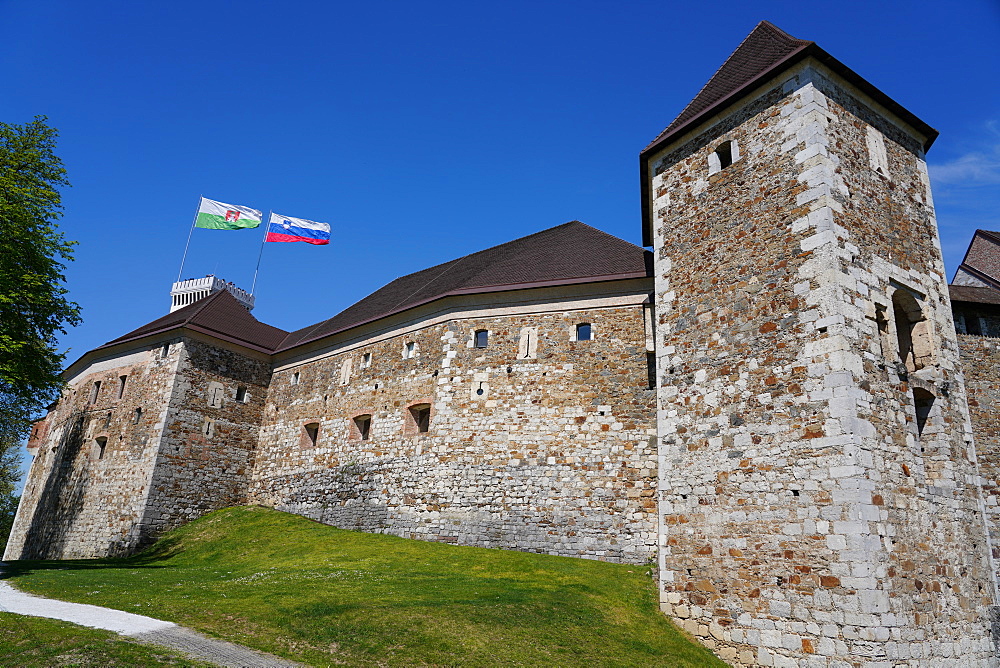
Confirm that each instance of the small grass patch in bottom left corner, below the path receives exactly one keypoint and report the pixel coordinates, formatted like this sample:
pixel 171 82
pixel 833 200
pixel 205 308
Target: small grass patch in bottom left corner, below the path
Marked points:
pixel 33 642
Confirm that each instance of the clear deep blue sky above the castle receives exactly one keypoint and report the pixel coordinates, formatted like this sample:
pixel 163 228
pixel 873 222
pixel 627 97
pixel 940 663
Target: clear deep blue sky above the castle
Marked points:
pixel 421 131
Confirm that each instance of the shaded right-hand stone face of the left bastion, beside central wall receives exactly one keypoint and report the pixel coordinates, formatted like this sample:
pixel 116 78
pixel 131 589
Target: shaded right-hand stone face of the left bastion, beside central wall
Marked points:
pixel 210 434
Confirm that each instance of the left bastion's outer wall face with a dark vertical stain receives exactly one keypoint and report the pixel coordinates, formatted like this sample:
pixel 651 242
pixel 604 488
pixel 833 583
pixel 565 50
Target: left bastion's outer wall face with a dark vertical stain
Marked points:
pixel 77 504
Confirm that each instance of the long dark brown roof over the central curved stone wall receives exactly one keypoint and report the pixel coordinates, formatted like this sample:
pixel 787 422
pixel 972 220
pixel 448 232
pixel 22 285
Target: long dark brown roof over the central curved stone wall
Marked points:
pixel 566 254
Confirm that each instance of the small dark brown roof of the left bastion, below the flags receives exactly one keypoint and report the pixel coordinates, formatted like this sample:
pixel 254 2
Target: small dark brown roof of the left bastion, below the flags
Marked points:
pixel 218 315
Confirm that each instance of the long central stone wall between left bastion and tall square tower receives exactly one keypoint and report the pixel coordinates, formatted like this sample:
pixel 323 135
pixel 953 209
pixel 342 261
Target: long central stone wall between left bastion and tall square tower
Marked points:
pixel 541 444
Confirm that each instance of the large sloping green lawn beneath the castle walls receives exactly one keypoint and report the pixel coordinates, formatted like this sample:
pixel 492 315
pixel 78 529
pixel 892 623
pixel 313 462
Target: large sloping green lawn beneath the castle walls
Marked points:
pixel 324 596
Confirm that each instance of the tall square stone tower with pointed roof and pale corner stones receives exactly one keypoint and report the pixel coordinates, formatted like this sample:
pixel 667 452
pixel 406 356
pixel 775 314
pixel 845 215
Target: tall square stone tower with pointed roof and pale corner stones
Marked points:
pixel 818 486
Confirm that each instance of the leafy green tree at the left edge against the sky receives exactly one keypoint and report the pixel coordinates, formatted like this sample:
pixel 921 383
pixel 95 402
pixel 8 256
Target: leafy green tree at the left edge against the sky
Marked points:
pixel 33 304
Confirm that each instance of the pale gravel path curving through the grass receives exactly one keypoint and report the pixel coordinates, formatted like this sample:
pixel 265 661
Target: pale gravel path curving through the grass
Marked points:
pixel 144 629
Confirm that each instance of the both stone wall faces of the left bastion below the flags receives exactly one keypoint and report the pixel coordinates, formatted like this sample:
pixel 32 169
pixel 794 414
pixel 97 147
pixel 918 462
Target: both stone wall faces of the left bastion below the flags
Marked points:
pixel 160 467
